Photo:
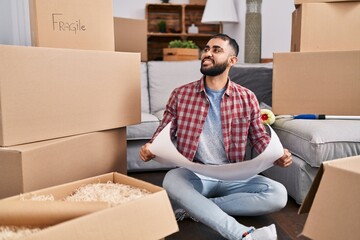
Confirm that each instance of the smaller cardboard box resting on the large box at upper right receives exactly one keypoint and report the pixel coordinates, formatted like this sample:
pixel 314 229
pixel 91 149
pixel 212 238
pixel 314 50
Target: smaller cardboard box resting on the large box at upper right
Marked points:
pixel 326 27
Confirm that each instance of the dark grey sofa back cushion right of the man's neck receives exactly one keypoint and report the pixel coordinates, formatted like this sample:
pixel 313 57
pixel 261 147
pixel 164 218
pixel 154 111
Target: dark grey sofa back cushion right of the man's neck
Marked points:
pixel 257 78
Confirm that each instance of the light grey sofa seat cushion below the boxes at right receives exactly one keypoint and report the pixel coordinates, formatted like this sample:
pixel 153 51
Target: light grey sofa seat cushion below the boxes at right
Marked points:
pixel 316 141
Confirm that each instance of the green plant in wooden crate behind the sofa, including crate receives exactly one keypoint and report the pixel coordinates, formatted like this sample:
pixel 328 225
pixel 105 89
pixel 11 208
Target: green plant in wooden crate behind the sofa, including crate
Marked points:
pixel 181 50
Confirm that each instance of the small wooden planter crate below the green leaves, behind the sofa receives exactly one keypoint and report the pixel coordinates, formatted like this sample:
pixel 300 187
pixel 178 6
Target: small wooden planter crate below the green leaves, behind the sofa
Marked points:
pixel 180 54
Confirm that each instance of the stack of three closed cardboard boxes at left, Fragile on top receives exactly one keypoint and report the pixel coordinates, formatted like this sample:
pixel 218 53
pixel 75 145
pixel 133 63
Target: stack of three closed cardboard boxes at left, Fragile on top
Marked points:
pixel 66 101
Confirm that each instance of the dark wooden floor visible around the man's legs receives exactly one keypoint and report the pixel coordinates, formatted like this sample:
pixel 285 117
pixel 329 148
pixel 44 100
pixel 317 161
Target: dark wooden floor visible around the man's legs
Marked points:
pixel 288 223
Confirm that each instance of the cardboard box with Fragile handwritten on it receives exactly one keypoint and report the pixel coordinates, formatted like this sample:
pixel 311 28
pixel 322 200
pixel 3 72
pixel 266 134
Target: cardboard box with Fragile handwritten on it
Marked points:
pixel 80 24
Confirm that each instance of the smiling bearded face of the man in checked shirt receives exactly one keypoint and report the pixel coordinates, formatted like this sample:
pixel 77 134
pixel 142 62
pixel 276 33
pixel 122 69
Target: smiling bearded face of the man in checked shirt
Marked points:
pixel 215 57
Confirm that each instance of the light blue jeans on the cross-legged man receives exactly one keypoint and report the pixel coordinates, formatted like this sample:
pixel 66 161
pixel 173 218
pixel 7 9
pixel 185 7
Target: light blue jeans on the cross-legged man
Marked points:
pixel 213 202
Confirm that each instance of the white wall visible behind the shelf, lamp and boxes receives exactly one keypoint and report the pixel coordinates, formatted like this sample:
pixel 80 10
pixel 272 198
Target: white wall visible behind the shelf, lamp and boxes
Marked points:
pixel 276 22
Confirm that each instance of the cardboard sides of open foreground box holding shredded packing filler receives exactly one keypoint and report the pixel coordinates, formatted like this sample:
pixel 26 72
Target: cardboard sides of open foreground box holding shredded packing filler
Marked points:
pixel 147 218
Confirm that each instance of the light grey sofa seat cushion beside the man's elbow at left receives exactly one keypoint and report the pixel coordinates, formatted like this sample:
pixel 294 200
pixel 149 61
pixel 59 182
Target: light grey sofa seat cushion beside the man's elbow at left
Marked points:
pixel 145 129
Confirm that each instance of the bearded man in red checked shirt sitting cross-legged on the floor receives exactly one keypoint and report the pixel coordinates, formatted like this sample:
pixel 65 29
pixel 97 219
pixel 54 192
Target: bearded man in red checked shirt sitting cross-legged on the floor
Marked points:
pixel 212 119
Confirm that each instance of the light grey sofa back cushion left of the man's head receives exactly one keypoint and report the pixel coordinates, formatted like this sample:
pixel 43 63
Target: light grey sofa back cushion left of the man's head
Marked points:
pixel 164 77
